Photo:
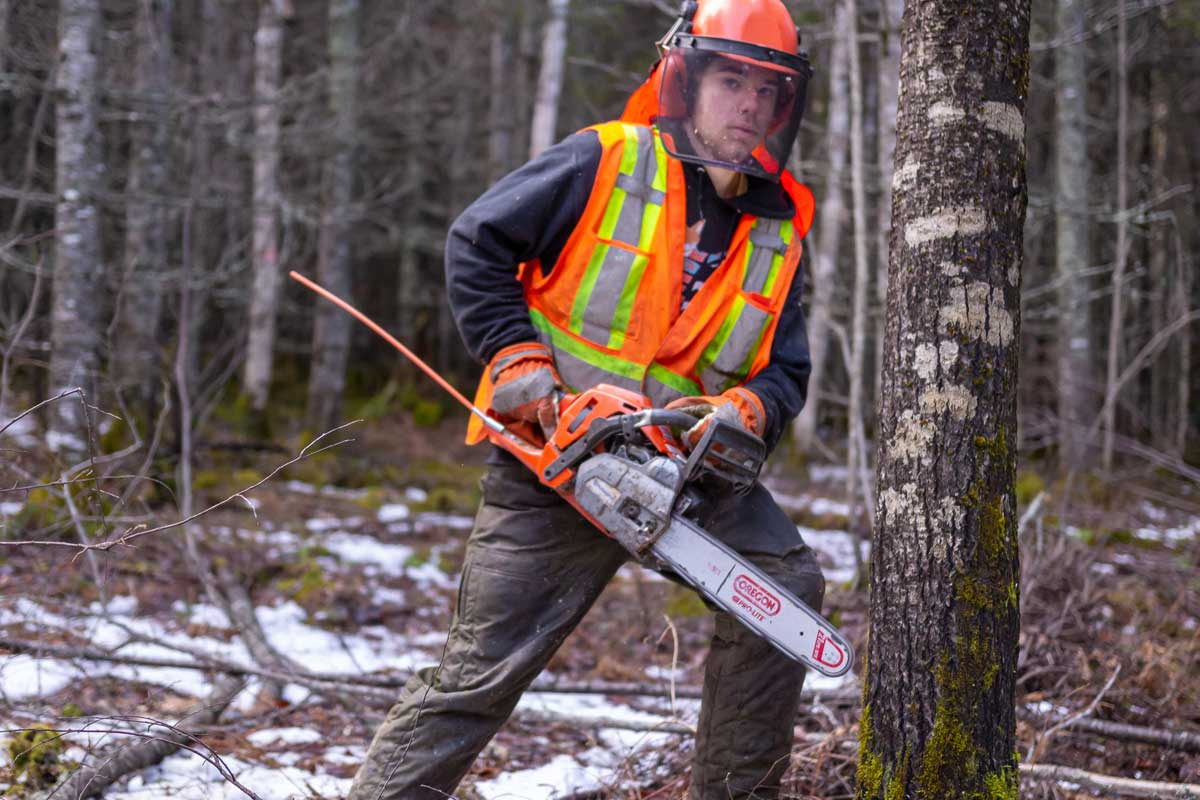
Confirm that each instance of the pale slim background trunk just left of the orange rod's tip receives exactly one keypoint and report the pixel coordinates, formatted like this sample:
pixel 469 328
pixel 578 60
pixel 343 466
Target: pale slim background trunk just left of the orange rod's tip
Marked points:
pixel 266 291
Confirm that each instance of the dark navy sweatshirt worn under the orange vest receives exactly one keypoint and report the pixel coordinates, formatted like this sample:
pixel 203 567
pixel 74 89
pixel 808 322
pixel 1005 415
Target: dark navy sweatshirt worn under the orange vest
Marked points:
pixel 531 214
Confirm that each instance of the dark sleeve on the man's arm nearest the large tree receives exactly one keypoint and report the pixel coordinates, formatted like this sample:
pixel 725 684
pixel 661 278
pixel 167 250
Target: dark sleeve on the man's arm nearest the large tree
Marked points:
pixel 783 386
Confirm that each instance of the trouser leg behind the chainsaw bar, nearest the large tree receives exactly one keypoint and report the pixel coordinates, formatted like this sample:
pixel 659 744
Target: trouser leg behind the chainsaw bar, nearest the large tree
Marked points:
pixel 752 690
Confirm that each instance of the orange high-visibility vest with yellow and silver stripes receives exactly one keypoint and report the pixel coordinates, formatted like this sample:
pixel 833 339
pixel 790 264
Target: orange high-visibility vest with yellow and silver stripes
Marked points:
pixel 610 308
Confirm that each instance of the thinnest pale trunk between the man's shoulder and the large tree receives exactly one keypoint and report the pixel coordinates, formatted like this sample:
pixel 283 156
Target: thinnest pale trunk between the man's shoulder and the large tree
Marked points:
pixel 860 323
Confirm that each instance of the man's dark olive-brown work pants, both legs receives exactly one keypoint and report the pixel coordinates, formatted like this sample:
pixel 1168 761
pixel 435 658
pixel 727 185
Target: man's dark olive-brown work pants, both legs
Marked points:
pixel 533 569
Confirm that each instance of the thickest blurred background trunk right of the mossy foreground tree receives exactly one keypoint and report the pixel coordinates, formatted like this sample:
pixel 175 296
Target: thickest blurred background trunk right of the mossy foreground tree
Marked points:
pixel 1072 172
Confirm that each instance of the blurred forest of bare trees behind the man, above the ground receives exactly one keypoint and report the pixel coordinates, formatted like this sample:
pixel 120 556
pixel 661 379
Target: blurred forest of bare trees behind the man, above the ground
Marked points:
pixel 164 164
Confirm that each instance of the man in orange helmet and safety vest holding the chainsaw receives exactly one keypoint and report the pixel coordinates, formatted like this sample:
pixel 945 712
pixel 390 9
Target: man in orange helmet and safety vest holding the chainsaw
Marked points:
pixel 663 260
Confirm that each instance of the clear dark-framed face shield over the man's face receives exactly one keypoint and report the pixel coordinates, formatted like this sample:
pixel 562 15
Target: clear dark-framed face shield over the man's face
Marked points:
pixel 731 104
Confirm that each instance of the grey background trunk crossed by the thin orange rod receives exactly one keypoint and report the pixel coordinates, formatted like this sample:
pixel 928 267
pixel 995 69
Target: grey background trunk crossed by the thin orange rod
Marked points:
pixel 332 330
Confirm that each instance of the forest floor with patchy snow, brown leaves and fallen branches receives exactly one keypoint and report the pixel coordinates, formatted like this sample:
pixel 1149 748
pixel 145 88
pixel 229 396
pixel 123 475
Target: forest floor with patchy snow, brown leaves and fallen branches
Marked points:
pixel 352 563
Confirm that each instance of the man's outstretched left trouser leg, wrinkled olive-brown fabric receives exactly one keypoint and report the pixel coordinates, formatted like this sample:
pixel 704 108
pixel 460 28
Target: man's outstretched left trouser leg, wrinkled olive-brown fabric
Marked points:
pixel 533 569
